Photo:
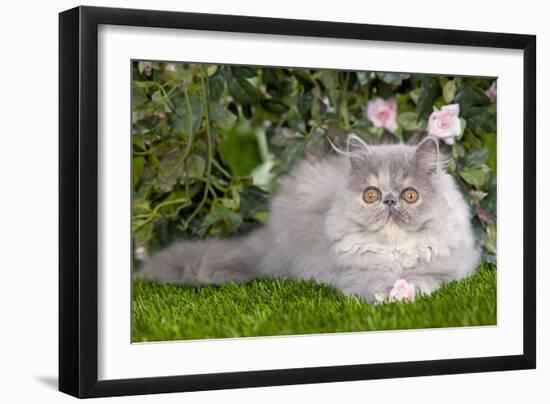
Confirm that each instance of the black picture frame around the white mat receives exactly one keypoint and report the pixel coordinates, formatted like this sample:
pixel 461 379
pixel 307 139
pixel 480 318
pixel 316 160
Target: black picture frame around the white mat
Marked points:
pixel 78 201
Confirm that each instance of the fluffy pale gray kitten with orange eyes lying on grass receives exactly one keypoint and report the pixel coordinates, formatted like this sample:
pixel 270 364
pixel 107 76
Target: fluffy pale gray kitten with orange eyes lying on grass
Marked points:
pixel 360 221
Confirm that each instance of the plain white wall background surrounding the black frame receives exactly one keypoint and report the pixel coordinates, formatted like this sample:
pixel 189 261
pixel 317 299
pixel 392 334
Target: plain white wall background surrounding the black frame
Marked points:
pixel 28 199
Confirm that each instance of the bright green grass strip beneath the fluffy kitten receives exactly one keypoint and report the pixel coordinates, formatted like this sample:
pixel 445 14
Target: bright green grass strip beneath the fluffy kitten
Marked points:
pixel 282 307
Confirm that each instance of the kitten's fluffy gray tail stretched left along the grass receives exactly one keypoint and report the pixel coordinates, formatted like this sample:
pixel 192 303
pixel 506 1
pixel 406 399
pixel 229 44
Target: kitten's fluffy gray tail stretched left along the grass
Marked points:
pixel 211 261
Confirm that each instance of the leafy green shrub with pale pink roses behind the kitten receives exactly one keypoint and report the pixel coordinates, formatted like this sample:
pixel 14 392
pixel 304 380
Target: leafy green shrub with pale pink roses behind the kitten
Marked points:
pixel 209 141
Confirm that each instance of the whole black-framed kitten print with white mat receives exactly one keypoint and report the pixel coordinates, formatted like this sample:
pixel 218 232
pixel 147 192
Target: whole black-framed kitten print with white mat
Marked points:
pixel 251 201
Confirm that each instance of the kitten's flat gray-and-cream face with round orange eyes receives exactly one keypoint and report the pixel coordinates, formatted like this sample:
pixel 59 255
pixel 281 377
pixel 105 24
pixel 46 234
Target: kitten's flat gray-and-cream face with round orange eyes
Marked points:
pixel 391 185
